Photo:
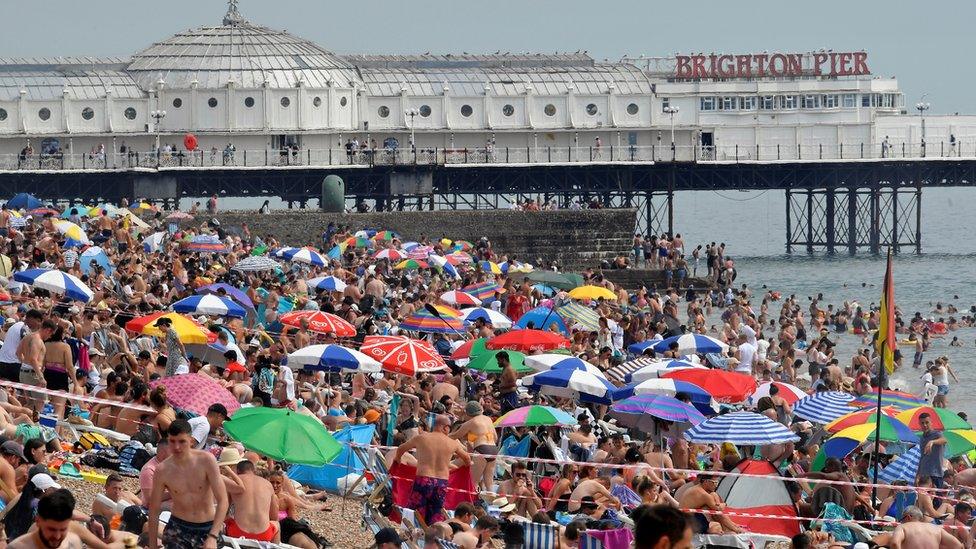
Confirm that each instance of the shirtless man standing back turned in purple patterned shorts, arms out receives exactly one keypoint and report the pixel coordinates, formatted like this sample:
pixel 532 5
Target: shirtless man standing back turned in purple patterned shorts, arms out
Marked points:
pixel 435 452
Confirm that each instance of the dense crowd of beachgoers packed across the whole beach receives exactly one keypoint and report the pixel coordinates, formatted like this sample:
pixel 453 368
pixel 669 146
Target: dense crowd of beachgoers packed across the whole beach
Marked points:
pixel 646 486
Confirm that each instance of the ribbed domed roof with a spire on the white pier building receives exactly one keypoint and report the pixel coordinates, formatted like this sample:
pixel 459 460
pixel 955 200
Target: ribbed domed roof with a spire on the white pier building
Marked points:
pixel 239 51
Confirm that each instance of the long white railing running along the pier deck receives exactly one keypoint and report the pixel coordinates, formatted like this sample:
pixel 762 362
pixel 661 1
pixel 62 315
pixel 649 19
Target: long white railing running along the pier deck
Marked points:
pixel 300 158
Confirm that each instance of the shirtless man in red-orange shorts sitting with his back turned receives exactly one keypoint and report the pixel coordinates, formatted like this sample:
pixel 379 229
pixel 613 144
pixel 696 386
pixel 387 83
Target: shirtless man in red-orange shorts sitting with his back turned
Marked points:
pixel 255 507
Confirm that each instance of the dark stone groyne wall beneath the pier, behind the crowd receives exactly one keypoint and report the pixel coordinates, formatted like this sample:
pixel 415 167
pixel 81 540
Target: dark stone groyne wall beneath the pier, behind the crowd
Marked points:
pixel 575 239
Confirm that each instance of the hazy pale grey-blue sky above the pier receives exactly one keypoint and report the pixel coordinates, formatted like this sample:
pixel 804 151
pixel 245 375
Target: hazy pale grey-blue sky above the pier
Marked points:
pixel 924 44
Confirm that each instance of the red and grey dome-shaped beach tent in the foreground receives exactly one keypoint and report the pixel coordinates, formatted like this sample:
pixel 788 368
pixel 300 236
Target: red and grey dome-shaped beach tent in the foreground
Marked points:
pixel 759 496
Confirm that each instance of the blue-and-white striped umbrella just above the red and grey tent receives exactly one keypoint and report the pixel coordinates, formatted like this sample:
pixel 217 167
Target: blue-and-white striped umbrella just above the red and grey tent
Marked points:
pixel 741 429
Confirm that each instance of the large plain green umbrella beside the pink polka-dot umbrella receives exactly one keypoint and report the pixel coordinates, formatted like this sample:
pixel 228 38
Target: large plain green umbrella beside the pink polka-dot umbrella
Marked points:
pixel 283 434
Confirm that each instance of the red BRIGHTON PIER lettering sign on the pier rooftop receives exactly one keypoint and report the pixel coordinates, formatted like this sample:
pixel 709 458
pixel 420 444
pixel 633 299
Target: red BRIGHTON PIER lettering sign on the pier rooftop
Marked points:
pixel 771 64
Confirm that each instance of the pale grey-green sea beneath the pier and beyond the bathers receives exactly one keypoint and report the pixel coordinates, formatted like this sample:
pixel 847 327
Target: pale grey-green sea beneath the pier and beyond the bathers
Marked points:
pixel 752 224
